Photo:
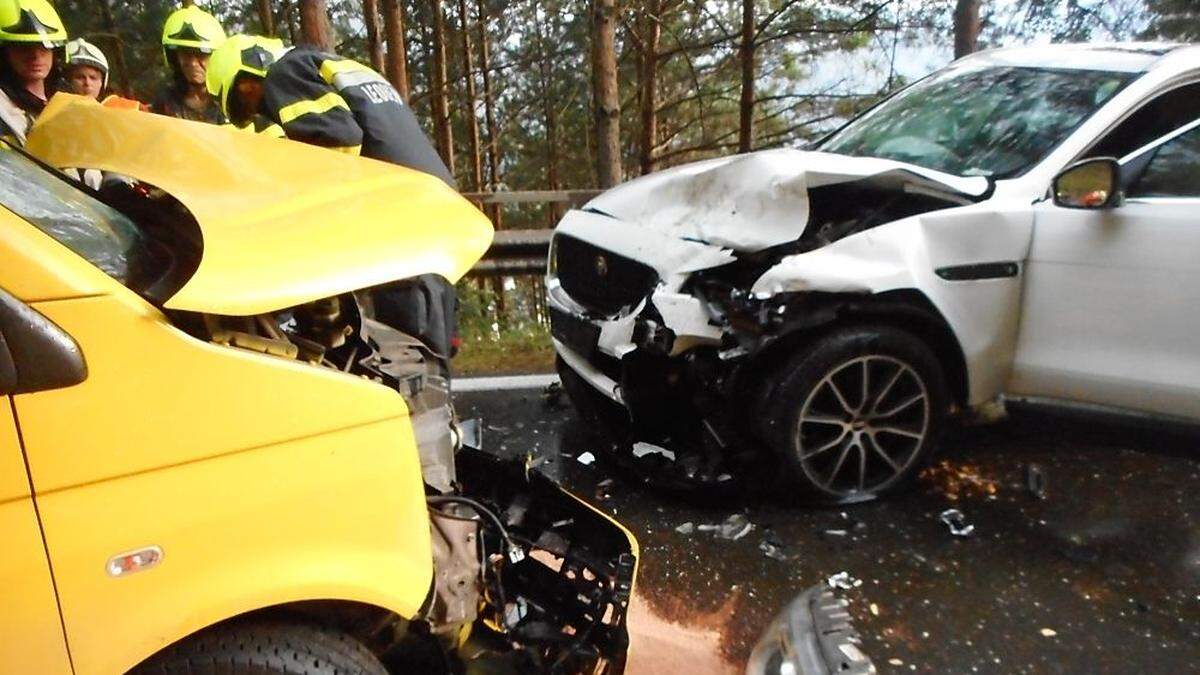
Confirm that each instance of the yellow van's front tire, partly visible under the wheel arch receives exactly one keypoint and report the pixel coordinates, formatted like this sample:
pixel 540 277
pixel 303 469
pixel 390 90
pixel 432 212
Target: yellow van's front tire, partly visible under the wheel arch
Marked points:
pixel 266 648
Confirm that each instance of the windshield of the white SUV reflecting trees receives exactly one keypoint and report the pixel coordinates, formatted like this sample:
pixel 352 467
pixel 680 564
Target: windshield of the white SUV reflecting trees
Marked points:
pixel 994 122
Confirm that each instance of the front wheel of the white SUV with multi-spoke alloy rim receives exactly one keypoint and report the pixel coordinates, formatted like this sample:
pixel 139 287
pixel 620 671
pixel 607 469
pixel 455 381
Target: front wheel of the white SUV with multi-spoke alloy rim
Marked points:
pixel 815 429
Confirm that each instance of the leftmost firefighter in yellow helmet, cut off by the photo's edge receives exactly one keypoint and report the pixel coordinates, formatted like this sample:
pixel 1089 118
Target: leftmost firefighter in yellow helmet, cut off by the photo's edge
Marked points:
pixel 32 34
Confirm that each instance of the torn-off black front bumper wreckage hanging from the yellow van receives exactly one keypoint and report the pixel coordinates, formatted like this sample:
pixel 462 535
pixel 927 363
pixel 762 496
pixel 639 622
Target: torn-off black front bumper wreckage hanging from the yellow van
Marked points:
pixel 555 576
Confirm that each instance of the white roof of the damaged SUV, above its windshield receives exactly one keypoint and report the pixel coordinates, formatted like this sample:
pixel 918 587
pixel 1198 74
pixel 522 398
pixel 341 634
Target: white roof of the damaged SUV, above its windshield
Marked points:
pixel 1121 57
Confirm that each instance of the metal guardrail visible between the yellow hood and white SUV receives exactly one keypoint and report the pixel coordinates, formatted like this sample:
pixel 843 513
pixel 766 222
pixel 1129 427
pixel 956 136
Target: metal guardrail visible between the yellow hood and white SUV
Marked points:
pixel 523 252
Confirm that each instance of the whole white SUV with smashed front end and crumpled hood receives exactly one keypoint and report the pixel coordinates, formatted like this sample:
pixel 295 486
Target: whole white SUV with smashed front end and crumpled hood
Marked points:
pixel 1025 223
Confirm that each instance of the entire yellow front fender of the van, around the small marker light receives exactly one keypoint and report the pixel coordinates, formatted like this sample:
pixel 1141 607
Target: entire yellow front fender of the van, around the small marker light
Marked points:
pixel 262 480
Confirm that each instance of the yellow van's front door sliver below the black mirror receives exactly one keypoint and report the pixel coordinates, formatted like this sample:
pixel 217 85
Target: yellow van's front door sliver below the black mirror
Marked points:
pixel 31 632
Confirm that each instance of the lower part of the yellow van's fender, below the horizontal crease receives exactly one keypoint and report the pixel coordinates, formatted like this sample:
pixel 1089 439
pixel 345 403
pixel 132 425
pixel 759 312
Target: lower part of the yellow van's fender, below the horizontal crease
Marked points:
pixel 329 517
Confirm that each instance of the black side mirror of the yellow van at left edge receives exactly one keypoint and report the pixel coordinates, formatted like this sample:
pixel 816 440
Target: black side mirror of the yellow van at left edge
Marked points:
pixel 35 354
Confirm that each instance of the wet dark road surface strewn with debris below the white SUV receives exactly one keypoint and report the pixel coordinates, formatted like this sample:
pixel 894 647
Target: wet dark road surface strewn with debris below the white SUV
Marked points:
pixel 1102 575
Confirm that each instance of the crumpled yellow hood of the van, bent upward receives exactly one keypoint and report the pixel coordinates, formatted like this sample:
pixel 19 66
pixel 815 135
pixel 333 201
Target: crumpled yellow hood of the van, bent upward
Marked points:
pixel 284 223
